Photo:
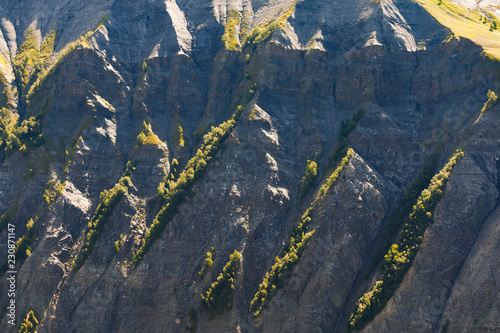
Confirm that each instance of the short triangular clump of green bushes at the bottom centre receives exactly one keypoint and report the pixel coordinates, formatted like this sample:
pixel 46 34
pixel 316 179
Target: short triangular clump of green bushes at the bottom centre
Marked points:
pixel 219 295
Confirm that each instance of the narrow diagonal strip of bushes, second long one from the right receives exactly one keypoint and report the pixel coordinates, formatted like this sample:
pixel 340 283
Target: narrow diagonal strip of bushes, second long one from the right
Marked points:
pixel 292 251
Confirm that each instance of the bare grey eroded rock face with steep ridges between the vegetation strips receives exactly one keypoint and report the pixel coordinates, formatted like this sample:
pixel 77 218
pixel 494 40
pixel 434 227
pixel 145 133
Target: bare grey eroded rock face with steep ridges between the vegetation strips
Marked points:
pixel 164 63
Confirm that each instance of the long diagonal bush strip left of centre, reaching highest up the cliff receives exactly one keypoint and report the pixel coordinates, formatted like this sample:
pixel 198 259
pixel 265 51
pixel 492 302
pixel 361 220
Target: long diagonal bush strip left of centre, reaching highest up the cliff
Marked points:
pixel 173 192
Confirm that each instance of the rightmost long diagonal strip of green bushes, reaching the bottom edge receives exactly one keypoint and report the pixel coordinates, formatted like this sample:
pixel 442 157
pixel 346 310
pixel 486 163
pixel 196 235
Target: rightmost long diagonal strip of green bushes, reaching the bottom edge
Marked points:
pixel 400 257
